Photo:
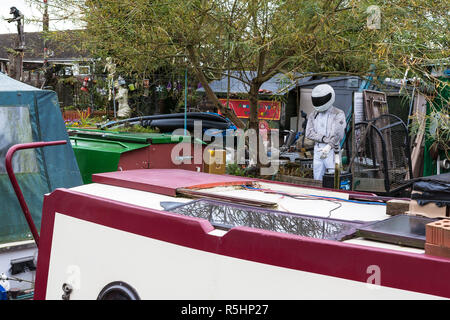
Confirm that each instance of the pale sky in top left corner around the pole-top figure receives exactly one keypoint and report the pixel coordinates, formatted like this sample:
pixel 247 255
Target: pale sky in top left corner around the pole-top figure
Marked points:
pixel 29 12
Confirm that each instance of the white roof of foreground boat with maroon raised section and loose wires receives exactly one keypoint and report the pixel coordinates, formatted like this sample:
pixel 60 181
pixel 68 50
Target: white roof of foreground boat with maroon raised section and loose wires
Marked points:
pixel 241 198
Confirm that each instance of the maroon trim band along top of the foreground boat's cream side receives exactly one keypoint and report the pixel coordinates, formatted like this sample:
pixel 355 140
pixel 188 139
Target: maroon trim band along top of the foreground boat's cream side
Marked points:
pixel 402 270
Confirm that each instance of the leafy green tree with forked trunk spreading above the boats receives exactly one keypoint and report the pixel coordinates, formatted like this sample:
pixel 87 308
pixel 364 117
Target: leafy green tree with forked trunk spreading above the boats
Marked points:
pixel 212 37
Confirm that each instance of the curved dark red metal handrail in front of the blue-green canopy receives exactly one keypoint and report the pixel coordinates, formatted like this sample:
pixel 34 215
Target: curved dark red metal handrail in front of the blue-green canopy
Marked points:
pixel 15 184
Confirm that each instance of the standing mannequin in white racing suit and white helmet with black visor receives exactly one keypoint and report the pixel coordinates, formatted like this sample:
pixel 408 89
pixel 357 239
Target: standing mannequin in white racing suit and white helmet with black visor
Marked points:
pixel 326 127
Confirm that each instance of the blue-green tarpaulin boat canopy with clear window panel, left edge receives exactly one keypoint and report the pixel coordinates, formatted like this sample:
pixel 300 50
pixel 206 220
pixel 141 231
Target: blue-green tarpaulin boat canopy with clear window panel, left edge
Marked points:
pixel 28 114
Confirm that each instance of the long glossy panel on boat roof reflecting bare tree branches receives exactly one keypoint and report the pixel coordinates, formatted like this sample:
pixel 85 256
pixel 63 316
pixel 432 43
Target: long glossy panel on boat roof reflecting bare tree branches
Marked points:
pixel 225 216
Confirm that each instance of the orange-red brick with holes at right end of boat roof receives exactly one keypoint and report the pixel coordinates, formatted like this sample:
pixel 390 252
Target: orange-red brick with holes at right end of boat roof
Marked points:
pixel 438 238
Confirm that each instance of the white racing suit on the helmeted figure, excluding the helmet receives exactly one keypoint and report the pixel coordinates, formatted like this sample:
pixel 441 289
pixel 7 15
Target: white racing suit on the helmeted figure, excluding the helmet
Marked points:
pixel 325 128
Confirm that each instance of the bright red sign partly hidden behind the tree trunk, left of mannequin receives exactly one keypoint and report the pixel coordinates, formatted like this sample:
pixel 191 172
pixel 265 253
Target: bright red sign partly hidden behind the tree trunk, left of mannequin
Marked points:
pixel 268 110
